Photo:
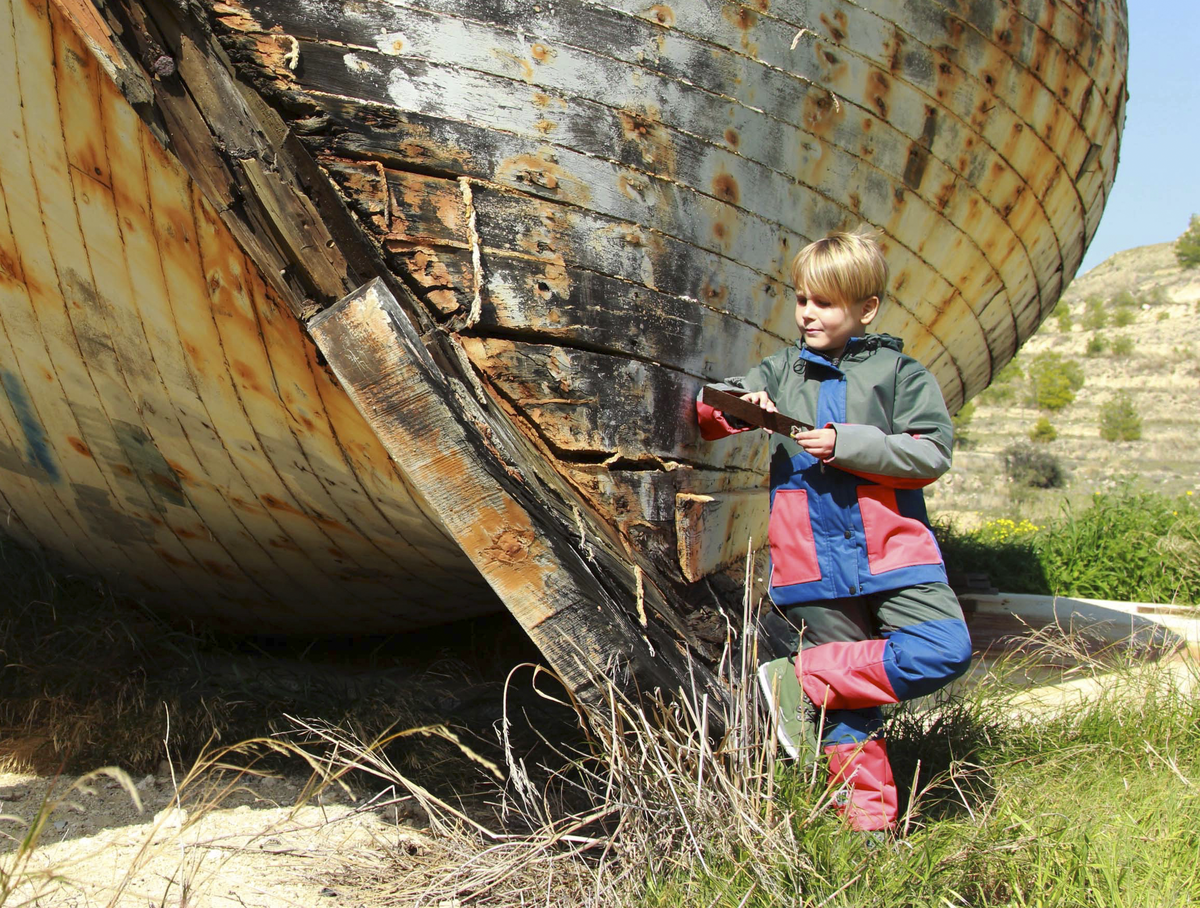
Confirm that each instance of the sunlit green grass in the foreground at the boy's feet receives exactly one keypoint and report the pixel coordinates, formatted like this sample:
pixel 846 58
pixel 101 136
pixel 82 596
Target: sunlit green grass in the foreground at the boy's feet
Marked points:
pixel 1093 807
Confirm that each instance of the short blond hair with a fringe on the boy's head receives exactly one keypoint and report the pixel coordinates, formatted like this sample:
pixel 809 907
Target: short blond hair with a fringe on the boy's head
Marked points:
pixel 844 268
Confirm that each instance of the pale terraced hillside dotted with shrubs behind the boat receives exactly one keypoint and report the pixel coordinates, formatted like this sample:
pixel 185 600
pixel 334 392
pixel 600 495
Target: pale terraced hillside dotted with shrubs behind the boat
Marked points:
pixel 1155 358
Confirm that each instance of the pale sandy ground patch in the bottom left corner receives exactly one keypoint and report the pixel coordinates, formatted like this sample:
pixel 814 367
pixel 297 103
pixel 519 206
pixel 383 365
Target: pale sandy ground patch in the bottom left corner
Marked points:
pixel 257 850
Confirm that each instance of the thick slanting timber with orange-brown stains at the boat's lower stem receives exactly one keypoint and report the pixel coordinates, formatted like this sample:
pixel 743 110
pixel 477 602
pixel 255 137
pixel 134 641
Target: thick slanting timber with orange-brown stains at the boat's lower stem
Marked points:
pixel 557 572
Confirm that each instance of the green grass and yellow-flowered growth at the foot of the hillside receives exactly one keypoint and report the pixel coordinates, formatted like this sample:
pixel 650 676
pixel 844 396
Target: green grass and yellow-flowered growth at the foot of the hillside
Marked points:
pixel 1129 546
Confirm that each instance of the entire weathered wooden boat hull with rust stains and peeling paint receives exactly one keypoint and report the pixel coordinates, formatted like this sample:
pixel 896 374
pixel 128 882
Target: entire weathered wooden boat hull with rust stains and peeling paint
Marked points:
pixel 580 212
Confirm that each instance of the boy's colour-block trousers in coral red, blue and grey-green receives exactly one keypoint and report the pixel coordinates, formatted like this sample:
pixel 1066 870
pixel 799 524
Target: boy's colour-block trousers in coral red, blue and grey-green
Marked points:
pixel 862 653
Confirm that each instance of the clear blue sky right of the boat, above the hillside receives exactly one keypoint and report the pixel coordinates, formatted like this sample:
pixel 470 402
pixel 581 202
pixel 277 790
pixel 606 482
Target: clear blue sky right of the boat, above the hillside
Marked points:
pixel 1159 179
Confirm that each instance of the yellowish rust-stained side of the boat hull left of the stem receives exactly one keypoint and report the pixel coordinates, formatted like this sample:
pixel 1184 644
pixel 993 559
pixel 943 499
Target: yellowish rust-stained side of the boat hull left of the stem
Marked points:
pixel 165 418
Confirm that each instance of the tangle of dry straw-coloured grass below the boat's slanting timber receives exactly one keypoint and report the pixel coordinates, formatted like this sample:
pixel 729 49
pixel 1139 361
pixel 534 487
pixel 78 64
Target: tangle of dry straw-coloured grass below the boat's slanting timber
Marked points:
pixel 649 797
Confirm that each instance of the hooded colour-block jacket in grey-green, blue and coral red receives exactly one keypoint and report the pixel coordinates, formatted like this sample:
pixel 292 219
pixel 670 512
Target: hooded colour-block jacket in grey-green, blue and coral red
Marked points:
pixel 855 524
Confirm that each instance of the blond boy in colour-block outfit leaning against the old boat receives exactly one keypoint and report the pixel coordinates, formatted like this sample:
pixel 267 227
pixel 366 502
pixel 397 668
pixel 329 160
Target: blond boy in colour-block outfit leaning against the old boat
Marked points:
pixel 855 566
